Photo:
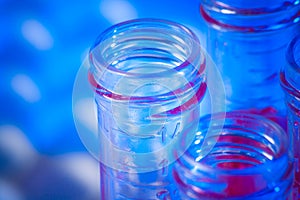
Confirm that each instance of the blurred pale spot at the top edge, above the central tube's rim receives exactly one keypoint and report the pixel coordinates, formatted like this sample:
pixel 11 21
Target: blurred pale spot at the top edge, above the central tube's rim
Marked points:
pixel 116 11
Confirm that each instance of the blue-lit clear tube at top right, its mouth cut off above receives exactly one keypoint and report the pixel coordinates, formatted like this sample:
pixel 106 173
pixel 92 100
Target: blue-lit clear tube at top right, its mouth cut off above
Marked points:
pixel 247 41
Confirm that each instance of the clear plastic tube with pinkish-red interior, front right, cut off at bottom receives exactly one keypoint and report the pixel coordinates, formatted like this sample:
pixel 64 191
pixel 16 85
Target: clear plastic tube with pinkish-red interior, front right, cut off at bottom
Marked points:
pixel 251 159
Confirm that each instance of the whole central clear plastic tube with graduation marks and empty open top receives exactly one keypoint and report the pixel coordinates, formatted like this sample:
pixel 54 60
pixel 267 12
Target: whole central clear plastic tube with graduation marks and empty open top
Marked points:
pixel 149 79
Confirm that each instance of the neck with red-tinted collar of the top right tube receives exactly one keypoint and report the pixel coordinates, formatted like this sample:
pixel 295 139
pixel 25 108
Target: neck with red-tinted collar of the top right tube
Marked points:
pixel 249 16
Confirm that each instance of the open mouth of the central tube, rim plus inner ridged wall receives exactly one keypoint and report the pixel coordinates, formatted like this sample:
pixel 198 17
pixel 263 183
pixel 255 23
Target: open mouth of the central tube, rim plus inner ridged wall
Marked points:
pixel 148 39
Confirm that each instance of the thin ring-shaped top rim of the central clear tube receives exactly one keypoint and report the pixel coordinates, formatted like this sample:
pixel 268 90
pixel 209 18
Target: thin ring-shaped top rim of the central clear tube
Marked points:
pixel 148 23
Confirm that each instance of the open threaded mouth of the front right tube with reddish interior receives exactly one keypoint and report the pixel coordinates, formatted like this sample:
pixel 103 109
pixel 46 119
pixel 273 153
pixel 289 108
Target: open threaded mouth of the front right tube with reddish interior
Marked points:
pixel 246 144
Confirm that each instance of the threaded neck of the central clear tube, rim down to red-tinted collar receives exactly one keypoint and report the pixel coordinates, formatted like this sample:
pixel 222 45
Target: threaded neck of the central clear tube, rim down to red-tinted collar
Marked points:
pixel 148 60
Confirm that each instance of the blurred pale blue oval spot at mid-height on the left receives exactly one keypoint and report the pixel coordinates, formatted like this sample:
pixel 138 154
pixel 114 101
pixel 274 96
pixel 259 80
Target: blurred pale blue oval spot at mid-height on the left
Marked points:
pixel 26 88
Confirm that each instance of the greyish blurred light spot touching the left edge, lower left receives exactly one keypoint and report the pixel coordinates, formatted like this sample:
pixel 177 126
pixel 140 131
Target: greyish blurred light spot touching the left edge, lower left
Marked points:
pixel 17 147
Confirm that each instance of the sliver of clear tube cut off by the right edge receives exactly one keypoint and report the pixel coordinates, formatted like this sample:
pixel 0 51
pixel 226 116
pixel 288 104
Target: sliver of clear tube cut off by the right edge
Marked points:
pixel 290 81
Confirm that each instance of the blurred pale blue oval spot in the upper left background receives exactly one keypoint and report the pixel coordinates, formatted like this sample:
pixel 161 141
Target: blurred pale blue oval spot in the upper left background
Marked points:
pixel 37 35
